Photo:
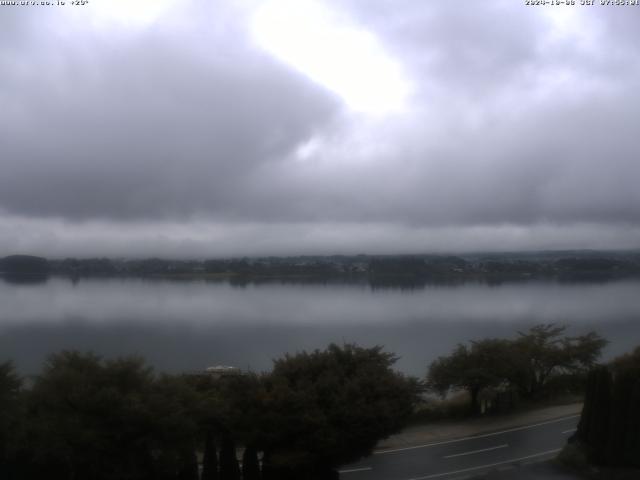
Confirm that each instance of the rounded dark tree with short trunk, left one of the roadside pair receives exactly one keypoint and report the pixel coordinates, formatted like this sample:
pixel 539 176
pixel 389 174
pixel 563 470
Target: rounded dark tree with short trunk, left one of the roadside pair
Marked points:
pixel 485 363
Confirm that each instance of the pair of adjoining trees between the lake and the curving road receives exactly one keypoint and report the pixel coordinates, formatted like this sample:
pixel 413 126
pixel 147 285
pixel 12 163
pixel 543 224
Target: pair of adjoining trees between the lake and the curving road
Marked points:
pixel 534 363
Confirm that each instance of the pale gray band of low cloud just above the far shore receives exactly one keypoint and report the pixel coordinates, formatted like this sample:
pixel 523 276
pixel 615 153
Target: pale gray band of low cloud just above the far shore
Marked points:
pixel 201 238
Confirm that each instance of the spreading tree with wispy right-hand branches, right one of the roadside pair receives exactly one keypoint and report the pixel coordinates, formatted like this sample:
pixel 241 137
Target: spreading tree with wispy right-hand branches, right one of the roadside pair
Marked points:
pixel 543 351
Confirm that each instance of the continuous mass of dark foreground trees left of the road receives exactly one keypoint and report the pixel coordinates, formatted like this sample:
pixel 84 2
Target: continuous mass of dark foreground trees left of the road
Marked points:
pixel 84 417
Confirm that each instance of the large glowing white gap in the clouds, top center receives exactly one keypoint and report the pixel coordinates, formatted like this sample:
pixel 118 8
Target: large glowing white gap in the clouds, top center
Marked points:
pixel 333 52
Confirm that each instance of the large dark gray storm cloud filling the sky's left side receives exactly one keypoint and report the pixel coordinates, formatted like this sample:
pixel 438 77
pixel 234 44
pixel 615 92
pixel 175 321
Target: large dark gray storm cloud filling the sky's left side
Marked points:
pixel 146 126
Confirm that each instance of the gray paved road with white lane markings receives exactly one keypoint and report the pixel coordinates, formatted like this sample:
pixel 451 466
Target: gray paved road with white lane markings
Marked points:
pixel 464 457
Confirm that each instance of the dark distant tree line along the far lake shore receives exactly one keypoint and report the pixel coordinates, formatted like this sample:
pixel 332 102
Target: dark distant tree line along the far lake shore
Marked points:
pixel 401 270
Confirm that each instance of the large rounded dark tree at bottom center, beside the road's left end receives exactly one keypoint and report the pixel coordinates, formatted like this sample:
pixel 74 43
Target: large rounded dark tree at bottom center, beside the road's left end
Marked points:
pixel 330 407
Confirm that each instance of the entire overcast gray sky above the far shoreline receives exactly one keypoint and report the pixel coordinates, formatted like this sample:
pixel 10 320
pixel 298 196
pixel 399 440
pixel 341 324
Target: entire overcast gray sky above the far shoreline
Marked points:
pixel 242 127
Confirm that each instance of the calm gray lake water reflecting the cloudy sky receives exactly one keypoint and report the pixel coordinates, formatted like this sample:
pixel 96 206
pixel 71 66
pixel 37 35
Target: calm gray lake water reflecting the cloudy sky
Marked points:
pixel 189 325
